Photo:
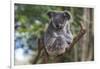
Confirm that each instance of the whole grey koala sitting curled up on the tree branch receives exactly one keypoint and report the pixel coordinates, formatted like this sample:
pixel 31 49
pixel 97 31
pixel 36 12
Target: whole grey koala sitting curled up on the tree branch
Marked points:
pixel 58 35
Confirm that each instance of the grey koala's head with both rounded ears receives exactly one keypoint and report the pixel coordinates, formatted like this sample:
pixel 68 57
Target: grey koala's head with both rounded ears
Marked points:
pixel 58 19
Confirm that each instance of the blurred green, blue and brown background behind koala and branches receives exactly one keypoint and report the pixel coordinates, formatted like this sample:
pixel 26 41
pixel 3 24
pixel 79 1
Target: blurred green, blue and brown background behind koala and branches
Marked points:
pixel 31 22
